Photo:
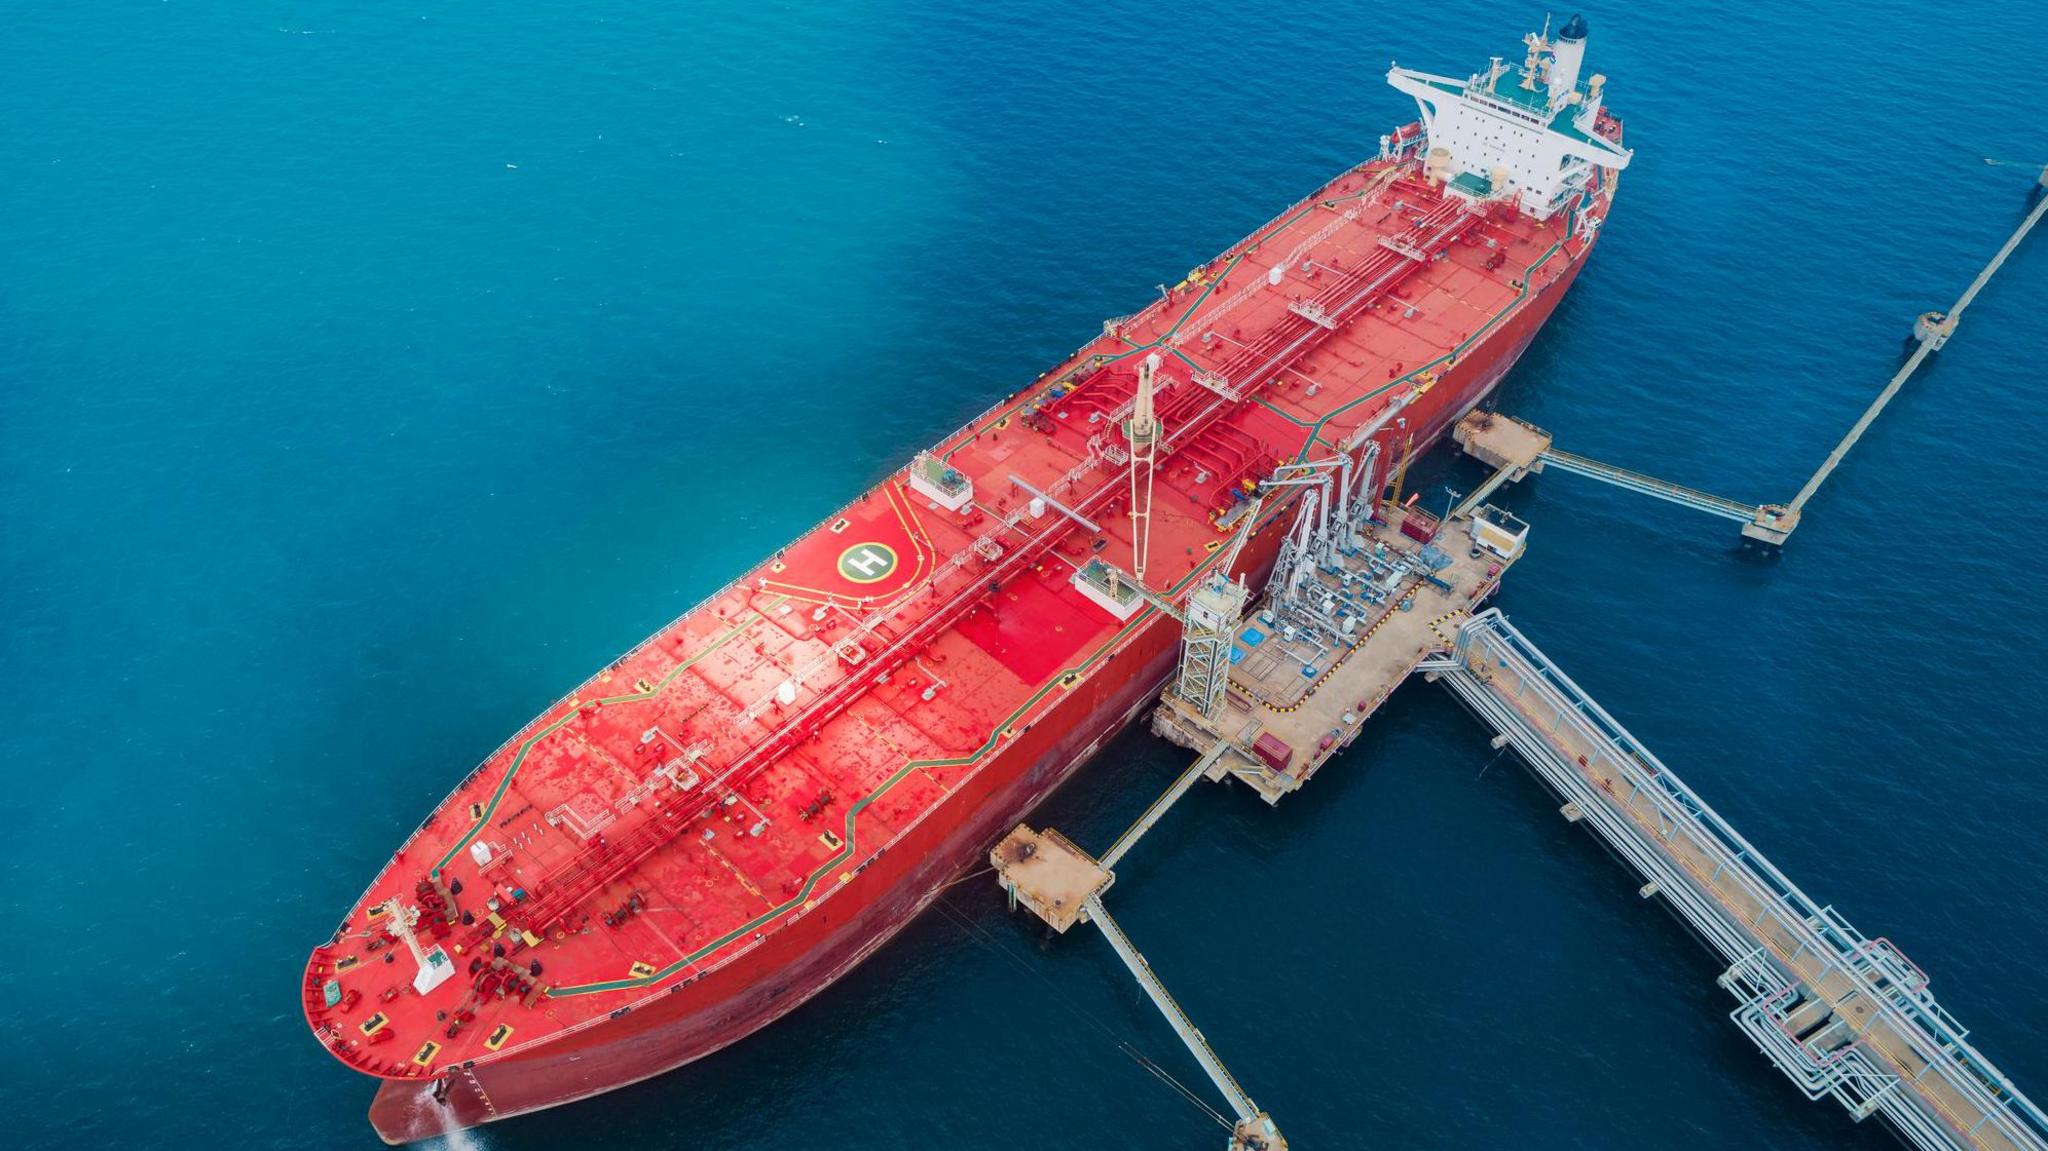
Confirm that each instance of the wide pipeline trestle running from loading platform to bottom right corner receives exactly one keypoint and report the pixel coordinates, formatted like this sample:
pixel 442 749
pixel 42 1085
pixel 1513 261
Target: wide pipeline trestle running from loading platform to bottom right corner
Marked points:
pixel 1842 1015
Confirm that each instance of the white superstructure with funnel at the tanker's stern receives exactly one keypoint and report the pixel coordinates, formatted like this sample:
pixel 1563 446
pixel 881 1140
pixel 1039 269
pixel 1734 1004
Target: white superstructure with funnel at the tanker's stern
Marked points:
pixel 1531 132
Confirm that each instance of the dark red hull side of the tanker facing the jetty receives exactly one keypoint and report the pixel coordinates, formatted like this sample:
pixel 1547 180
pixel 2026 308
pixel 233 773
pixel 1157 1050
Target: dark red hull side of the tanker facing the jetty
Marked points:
pixel 884 898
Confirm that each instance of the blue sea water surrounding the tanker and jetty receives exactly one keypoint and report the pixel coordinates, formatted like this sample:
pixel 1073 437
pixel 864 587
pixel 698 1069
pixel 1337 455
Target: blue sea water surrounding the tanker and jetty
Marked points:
pixel 370 374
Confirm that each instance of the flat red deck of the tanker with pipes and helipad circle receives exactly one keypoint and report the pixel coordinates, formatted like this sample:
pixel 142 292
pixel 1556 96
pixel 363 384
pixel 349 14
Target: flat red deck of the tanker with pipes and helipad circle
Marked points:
pixel 734 773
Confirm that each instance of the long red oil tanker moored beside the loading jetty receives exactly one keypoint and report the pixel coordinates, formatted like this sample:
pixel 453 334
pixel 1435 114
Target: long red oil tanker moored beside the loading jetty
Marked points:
pixel 740 810
